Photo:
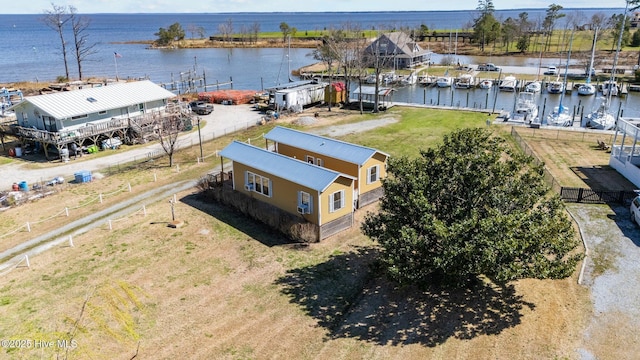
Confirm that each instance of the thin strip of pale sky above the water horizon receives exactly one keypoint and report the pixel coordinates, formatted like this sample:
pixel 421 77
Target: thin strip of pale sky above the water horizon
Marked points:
pixel 233 6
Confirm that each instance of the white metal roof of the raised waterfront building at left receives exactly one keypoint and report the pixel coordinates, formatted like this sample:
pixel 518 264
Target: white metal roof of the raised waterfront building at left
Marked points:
pixel 67 104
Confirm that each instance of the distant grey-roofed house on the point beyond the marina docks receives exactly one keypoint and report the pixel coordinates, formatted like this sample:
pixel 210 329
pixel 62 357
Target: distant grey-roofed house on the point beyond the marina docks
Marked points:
pixel 398 49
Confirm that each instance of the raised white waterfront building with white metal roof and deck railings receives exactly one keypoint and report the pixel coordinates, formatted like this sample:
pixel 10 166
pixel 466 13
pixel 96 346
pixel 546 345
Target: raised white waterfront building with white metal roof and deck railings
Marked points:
pixel 91 114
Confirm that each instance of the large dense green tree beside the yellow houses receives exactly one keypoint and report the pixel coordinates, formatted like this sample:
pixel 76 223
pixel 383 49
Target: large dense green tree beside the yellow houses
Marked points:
pixel 468 208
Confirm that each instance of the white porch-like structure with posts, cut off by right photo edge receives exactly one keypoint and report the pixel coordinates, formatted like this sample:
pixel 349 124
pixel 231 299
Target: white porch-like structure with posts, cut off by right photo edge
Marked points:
pixel 625 153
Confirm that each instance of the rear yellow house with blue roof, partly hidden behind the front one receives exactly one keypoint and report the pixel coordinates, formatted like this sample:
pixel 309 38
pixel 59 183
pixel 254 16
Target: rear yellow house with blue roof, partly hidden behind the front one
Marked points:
pixel 365 164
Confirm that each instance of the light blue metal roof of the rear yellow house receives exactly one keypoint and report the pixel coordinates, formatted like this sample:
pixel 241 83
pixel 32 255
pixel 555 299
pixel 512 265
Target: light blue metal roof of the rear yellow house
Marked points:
pixel 356 154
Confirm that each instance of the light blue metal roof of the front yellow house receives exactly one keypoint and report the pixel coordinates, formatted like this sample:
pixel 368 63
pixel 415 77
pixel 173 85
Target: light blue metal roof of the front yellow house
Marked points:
pixel 296 171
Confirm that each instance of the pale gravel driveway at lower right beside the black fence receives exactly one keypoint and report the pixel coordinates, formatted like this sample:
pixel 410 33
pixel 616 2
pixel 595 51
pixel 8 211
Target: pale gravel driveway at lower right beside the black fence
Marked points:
pixel 612 274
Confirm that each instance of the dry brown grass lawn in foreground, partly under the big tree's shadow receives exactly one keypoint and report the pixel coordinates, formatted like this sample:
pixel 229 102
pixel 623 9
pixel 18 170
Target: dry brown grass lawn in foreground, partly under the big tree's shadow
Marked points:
pixel 224 287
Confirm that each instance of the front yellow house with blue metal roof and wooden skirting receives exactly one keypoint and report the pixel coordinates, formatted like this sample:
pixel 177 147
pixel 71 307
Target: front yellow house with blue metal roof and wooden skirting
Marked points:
pixel 321 196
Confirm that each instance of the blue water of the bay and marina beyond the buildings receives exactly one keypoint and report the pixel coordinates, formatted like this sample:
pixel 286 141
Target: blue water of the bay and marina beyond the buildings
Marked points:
pixel 31 52
